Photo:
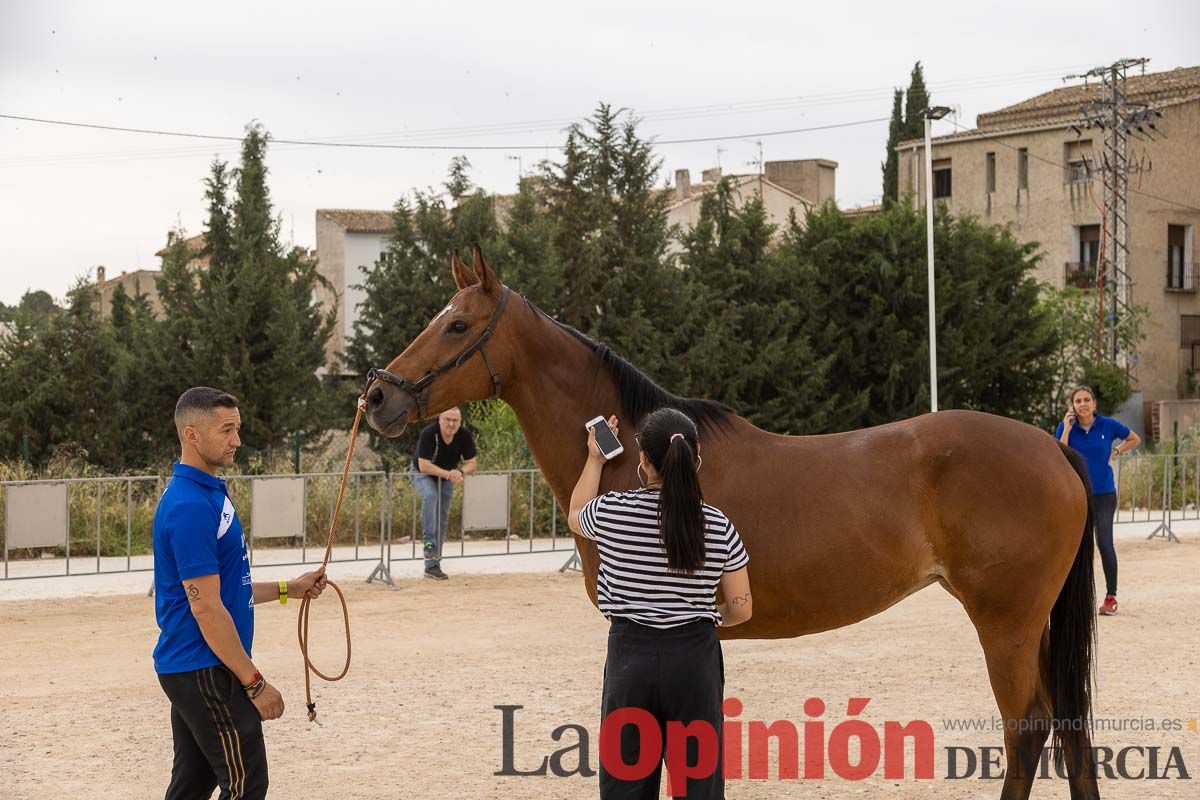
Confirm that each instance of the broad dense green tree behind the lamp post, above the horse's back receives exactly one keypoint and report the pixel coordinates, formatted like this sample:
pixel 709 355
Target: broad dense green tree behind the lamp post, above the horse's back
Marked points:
pixel 995 339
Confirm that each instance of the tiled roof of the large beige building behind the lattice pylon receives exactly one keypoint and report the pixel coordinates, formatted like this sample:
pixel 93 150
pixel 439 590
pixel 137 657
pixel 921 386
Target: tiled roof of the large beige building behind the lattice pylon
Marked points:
pixel 1061 107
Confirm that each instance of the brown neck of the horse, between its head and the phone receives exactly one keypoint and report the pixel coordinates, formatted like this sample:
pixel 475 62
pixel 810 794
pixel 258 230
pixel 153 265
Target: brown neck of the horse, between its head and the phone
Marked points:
pixel 555 388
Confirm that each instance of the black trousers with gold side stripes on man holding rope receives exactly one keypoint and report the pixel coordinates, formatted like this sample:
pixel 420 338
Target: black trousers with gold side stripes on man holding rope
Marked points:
pixel 218 735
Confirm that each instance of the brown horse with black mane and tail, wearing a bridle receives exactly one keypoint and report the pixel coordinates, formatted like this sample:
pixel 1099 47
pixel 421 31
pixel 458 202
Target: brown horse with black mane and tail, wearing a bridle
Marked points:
pixel 838 527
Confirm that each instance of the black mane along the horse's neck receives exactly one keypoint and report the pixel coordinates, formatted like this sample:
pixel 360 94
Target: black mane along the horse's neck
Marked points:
pixel 639 394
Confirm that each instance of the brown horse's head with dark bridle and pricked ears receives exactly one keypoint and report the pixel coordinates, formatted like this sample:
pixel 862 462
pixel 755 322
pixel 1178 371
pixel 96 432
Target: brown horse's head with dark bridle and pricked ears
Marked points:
pixel 459 358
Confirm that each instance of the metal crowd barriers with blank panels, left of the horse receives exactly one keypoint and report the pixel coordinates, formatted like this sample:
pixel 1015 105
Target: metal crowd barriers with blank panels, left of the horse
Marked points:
pixel 104 526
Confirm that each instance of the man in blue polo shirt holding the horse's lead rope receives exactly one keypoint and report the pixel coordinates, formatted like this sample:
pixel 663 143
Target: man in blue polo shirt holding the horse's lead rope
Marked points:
pixel 205 603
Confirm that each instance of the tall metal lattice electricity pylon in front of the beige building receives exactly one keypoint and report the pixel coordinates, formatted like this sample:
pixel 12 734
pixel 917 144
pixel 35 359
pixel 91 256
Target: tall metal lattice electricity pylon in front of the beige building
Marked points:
pixel 1118 119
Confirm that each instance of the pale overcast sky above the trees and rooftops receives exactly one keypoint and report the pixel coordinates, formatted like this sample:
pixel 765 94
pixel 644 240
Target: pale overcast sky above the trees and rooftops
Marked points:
pixel 455 74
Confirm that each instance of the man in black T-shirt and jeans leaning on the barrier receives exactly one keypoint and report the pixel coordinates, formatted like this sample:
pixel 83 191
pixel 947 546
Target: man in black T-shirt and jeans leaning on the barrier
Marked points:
pixel 440 450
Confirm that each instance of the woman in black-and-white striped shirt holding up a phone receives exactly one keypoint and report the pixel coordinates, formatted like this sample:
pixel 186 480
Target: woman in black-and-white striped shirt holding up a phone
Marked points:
pixel 664 552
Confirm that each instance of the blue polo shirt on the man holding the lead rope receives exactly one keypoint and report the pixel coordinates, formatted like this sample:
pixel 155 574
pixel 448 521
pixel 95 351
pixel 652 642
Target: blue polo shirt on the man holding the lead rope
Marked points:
pixel 196 533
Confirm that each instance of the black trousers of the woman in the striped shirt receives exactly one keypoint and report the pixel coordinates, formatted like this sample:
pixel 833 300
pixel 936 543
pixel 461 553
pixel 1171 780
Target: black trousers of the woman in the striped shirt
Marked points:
pixel 677 676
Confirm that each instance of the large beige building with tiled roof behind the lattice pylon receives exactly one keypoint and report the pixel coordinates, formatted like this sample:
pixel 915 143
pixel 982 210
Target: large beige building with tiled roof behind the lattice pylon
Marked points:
pixel 1025 166
